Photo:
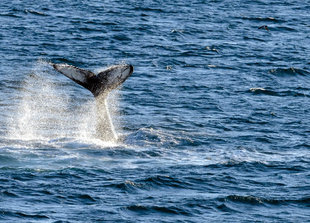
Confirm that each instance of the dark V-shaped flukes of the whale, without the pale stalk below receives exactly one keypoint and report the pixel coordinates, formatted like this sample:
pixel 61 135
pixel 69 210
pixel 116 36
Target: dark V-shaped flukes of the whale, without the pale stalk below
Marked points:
pixel 100 83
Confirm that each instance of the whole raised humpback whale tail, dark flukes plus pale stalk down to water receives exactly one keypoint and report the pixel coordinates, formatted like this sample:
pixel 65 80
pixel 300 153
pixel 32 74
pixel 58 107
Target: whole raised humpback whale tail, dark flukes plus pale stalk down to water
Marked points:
pixel 99 85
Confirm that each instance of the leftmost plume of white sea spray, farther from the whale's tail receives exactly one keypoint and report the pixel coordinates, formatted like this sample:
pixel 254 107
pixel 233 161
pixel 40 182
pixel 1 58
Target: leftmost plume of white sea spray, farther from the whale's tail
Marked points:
pixel 39 113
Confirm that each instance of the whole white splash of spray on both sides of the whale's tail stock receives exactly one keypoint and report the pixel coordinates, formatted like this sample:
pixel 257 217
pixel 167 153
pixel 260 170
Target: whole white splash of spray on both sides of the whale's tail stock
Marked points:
pixel 49 107
